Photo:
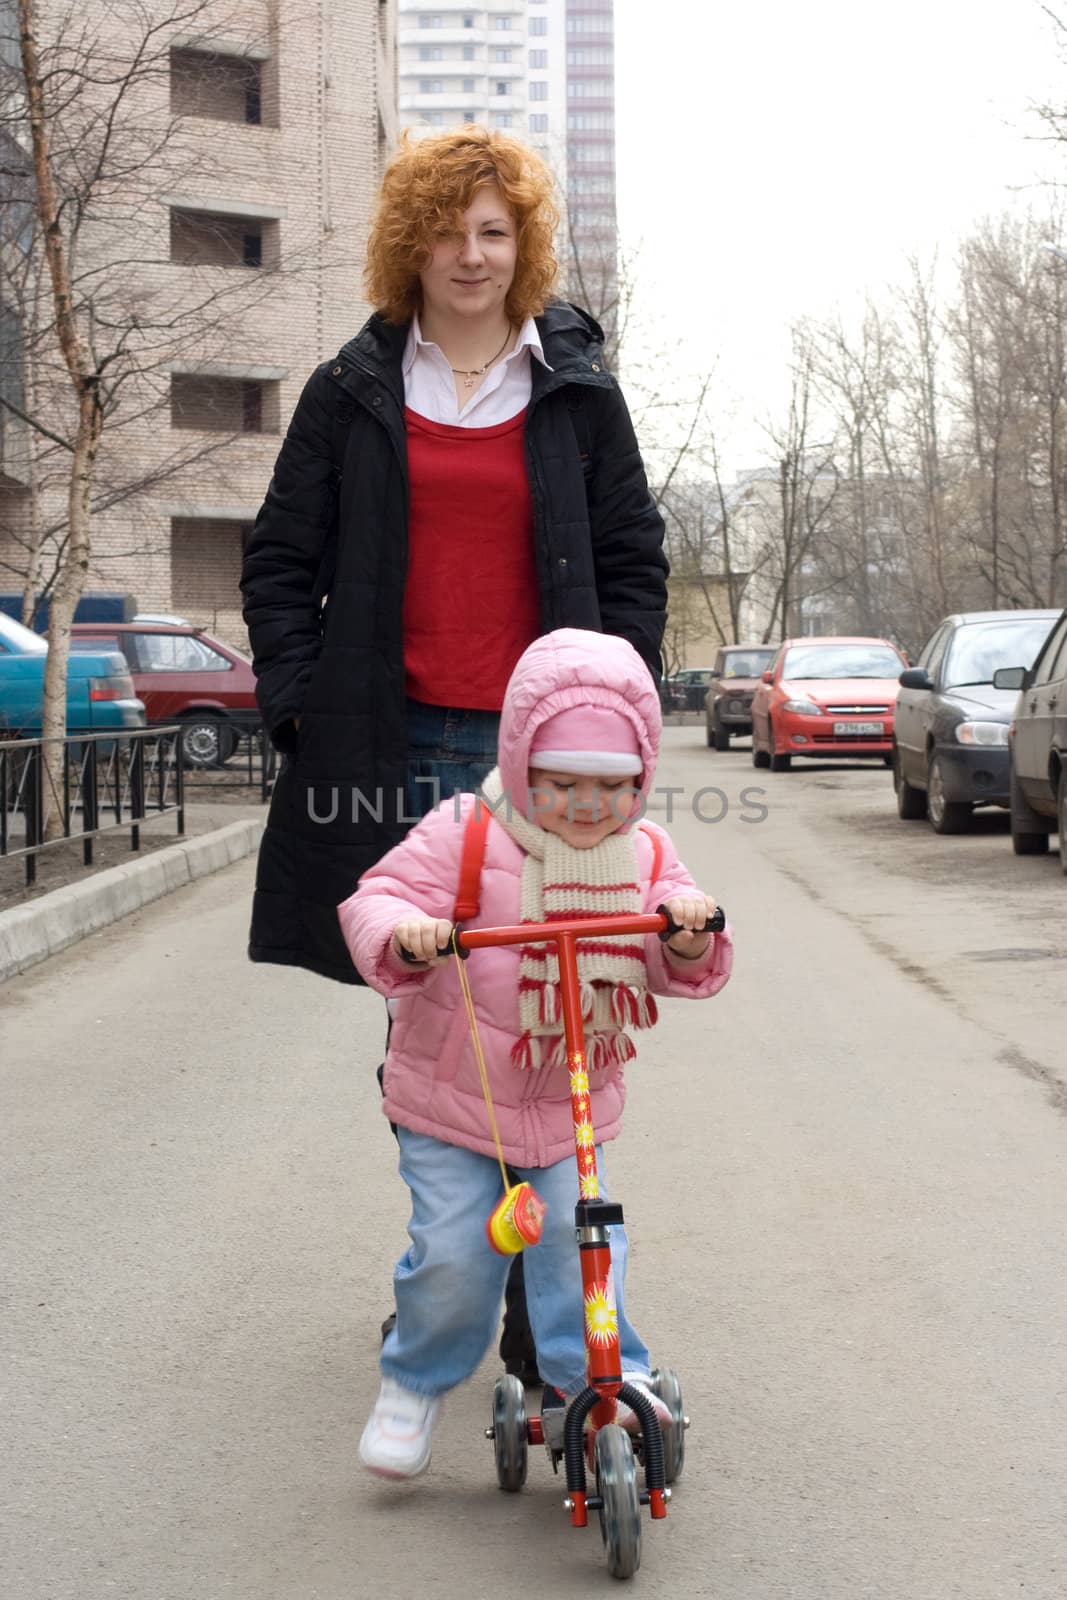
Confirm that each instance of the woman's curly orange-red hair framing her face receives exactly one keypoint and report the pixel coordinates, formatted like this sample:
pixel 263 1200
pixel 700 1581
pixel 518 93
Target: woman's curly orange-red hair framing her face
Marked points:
pixel 428 188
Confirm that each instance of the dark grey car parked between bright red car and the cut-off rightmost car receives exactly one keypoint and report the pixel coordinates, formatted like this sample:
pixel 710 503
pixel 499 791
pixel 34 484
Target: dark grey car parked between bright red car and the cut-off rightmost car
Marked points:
pixel 951 738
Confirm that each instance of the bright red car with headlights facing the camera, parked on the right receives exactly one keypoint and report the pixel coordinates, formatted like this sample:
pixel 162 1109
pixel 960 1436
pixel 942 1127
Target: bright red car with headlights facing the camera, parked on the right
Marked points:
pixel 826 697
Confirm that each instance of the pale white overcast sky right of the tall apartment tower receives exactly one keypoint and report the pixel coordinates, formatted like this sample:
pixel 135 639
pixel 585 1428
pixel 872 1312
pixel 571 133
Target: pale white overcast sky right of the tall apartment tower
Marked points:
pixel 778 158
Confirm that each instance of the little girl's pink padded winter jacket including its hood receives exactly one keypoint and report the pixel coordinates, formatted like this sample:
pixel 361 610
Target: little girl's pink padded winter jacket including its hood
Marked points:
pixel 431 1071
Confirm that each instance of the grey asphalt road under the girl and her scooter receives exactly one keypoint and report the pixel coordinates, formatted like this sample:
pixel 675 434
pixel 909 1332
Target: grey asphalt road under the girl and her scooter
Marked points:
pixel 845 1180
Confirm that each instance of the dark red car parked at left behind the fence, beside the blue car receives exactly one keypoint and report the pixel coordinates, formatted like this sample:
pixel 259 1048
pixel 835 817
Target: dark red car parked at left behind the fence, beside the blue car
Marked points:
pixel 185 676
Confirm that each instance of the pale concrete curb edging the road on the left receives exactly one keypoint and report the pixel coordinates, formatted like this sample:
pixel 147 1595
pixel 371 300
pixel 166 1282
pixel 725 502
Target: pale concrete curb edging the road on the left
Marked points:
pixel 55 922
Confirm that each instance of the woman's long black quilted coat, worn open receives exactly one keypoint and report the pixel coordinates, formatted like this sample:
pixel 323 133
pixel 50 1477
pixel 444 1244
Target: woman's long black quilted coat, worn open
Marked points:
pixel 324 591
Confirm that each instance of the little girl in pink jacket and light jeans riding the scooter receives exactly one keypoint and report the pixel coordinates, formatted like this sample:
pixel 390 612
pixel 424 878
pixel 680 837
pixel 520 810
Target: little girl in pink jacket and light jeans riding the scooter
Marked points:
pixel 578 745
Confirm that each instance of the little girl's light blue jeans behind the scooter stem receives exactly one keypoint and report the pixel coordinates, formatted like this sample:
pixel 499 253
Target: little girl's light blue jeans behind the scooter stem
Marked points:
pixel 450 1282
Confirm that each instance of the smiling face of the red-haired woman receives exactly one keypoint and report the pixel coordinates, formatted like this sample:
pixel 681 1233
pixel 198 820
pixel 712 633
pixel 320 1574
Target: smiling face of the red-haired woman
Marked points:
pixel 471 273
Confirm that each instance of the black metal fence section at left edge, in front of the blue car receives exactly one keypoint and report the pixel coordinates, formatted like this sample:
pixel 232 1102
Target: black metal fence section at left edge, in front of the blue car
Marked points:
pixel 57 791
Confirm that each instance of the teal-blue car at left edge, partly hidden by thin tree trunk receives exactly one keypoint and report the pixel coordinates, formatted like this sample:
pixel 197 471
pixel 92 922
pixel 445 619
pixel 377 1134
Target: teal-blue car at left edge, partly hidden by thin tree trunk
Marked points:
pixel 100 689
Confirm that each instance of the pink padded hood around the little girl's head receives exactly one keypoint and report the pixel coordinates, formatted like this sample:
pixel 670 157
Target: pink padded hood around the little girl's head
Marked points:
pixel 567 671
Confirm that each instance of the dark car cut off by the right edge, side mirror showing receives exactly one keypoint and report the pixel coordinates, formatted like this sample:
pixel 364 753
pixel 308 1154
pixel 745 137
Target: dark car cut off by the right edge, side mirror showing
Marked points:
pixel 1037 748
